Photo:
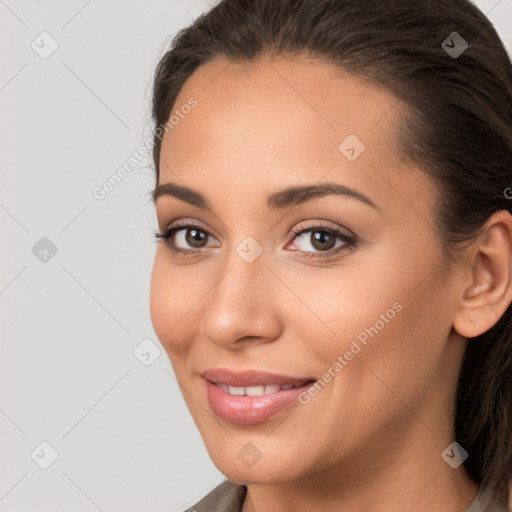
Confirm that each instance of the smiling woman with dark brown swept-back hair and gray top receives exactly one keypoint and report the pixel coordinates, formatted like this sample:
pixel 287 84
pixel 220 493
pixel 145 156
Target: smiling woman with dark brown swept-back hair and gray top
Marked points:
pixel 333 279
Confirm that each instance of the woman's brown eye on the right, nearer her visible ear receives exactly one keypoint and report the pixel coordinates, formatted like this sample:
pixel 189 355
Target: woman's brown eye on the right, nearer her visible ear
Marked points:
pixel 320 240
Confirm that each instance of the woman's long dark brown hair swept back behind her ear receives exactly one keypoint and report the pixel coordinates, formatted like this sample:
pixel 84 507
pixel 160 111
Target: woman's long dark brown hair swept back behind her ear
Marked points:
pixel 456 128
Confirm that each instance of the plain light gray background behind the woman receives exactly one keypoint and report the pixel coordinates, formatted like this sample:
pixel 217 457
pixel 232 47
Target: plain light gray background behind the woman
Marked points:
pixel 69 326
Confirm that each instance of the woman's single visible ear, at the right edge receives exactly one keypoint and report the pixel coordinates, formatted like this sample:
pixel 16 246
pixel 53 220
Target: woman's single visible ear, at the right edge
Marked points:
pixel 489 272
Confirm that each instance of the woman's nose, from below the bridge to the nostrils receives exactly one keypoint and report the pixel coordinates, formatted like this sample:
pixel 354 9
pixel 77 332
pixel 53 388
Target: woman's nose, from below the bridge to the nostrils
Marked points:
pixel 243 307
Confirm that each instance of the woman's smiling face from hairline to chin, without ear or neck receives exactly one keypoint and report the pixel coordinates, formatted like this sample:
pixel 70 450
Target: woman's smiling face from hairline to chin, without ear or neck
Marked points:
pixel 342 286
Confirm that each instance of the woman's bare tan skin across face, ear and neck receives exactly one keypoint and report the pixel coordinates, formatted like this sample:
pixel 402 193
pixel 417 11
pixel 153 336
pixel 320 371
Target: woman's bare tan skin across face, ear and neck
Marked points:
pixel 372 438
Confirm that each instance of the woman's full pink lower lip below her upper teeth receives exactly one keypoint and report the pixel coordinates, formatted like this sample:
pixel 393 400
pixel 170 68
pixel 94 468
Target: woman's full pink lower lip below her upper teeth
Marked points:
pixel 247 410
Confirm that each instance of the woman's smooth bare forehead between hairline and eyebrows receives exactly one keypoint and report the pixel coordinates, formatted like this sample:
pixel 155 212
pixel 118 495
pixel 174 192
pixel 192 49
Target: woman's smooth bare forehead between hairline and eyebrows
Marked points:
pixel 287 120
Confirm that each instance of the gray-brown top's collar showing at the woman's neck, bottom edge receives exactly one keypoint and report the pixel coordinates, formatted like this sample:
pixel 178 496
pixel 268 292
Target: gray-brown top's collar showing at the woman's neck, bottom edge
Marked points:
pixel 229 497
